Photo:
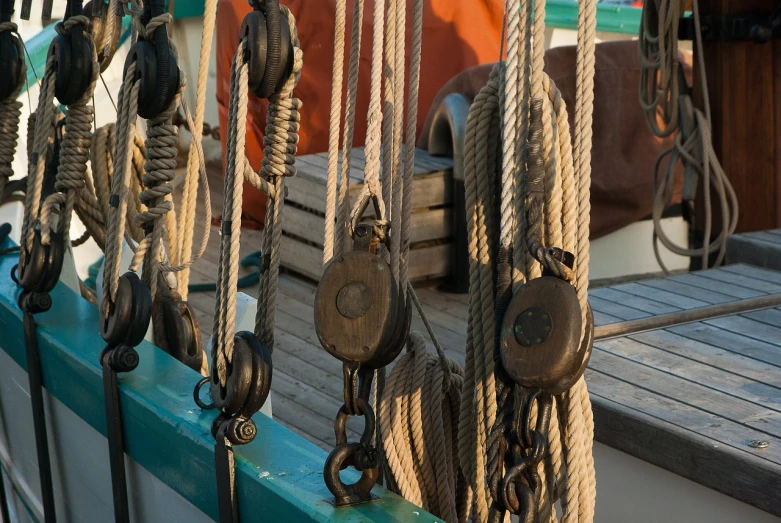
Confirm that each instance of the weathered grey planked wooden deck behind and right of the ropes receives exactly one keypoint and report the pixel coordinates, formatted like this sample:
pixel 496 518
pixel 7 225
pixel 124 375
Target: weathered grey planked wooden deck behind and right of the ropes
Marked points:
pixel 690 399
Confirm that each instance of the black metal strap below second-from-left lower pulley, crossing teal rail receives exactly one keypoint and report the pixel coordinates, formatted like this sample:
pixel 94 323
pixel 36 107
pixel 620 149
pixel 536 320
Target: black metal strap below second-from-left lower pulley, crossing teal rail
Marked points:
pixel 116 447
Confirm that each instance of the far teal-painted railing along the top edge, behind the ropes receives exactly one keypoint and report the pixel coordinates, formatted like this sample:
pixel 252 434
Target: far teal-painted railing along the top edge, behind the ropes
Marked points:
pixel 560 13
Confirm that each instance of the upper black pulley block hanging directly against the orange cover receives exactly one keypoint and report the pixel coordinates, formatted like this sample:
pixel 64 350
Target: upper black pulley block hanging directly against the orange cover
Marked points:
pixel 269 49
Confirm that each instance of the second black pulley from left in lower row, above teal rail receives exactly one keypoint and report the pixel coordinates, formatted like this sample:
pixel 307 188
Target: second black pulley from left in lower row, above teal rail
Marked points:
pixel 129 314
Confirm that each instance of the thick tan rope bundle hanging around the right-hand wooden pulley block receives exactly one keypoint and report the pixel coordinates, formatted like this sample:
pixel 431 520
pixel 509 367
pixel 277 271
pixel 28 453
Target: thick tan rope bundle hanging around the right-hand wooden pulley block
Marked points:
pixel 541 181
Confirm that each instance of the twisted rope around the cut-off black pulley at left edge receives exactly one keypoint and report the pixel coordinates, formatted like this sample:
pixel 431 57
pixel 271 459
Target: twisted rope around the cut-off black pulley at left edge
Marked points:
pixel 10 113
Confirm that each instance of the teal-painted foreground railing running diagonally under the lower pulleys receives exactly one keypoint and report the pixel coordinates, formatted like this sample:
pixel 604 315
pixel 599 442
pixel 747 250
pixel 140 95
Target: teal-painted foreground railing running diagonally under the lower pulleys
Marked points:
pixel 167 434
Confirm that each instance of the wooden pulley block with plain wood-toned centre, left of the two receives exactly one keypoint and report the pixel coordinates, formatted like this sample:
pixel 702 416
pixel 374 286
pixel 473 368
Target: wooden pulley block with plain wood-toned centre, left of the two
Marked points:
pixel 359 314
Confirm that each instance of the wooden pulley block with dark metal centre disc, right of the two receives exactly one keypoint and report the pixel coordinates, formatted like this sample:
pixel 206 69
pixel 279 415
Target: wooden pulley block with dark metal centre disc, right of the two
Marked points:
pixel 540 344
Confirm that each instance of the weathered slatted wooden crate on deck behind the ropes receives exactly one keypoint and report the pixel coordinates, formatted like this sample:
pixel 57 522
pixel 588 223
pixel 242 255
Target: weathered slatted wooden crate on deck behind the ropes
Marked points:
pixel 432 214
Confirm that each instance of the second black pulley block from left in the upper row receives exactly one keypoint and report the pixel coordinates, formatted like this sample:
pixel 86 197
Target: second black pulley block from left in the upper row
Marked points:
pixel 73 62
